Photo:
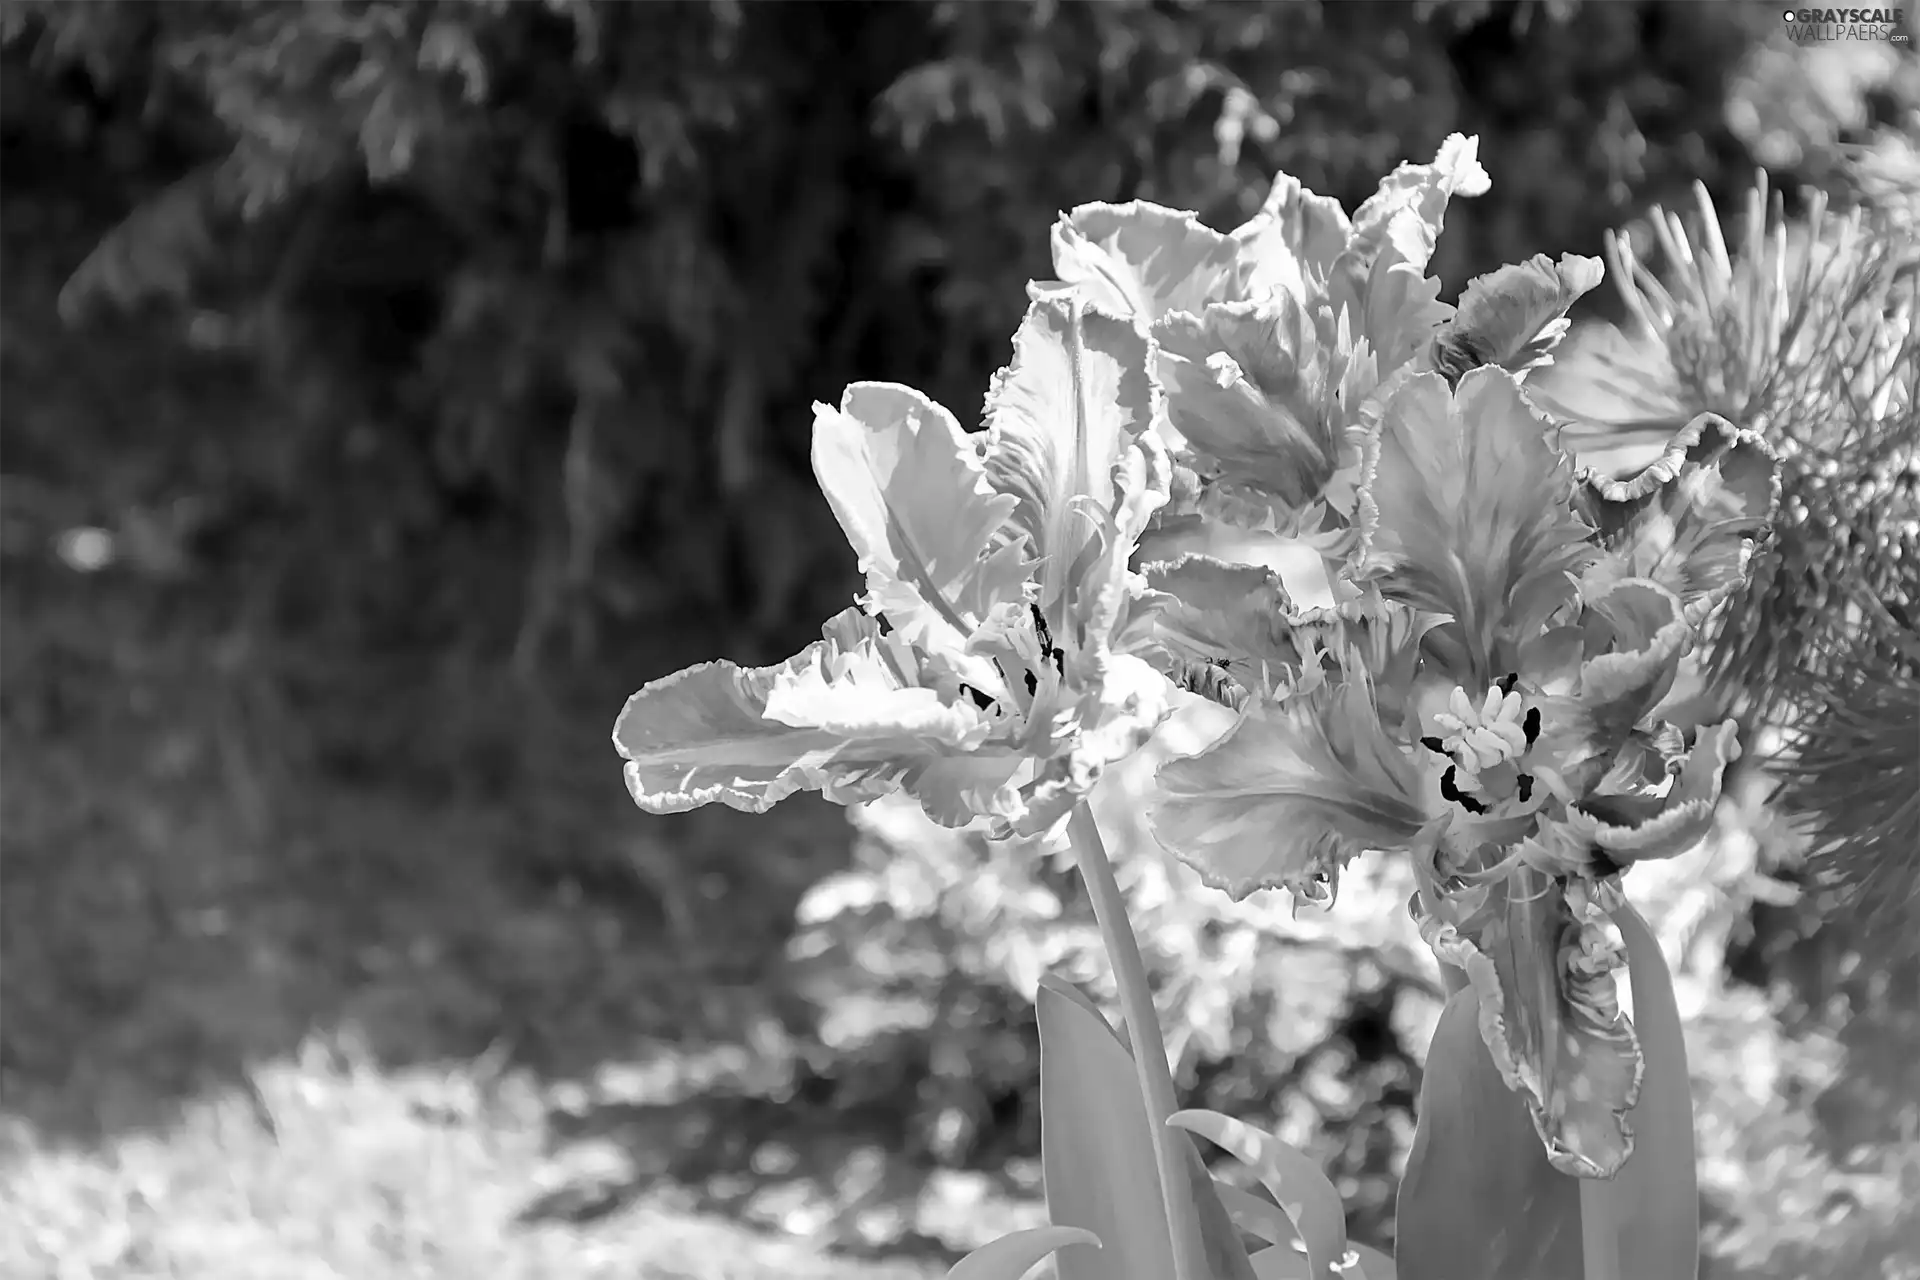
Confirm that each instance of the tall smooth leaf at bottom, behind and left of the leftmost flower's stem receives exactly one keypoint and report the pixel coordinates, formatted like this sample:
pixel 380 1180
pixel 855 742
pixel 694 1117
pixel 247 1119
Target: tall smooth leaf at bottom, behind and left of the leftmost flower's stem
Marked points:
pixel 1095 1147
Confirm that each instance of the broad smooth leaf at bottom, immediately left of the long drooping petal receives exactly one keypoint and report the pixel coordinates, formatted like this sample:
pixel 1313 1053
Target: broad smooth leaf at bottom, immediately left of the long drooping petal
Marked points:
pixel 1479 1197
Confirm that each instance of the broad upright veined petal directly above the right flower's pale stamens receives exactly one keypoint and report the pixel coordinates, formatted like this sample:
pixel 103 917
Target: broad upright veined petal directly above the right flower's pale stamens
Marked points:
pixel 1470 510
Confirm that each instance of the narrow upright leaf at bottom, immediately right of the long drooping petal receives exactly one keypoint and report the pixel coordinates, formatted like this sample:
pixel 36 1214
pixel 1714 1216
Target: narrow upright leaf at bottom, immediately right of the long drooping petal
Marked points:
pixel 1656 1197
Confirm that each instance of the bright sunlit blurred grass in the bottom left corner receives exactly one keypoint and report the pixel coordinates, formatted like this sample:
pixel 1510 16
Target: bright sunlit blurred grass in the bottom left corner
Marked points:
pixel 325 1166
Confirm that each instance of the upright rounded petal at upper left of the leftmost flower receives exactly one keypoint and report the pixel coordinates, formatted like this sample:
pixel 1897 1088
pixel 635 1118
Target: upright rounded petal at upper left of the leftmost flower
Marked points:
pixel 907 486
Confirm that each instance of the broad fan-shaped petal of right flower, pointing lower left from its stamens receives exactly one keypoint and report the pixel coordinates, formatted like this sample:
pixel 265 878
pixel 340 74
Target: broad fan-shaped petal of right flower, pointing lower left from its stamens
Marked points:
pixel 1285 797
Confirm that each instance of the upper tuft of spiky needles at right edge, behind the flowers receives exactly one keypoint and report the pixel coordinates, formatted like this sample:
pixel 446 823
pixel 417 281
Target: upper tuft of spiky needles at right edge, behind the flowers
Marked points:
pixel 1804 335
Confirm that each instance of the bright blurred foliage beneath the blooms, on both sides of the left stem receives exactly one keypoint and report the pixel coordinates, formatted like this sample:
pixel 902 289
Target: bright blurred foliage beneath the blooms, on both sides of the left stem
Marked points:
pixel 1310 1022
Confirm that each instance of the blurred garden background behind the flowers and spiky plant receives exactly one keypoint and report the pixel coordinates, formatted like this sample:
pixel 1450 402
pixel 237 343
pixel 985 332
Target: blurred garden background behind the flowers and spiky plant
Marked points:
pixel 389 389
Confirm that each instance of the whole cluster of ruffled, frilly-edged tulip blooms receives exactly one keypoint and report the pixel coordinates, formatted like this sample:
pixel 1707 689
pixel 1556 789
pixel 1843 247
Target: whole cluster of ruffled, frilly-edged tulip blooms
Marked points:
pixel 1454 646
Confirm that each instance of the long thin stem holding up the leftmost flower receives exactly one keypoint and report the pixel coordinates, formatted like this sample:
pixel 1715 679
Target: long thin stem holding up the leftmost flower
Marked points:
pixel 1149 1045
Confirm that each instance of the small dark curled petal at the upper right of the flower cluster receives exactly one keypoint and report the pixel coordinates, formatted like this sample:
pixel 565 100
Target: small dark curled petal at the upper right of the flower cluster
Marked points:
pixel 1514 318
